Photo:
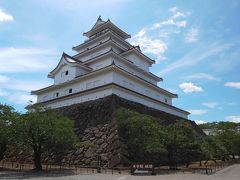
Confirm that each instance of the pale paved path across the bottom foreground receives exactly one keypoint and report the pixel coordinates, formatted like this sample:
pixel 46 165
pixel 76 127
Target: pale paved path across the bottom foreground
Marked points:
pixel 229 173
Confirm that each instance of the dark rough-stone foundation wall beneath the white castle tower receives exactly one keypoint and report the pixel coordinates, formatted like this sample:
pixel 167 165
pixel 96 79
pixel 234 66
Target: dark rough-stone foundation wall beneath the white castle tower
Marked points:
pixel 97 128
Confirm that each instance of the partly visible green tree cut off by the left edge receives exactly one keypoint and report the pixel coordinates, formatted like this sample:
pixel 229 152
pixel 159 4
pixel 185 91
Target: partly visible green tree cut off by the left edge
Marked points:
pixel 8 120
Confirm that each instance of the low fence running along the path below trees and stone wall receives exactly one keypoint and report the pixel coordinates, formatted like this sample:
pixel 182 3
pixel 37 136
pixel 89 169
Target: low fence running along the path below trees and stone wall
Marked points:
pixel 204 169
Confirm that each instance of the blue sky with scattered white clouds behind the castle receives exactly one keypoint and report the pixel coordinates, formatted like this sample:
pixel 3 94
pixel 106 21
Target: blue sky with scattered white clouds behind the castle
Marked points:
pixel 196 45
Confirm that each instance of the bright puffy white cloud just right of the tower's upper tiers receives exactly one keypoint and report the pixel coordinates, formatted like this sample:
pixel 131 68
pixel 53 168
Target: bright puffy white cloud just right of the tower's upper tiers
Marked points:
pixel 154 39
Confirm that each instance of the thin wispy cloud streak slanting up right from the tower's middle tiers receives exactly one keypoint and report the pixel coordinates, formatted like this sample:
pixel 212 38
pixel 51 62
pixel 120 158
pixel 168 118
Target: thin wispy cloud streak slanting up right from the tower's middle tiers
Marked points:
pixel 196 56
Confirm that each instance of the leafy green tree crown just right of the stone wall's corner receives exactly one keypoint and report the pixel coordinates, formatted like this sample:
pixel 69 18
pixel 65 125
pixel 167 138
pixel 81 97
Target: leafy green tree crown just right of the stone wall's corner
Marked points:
pixel 143 133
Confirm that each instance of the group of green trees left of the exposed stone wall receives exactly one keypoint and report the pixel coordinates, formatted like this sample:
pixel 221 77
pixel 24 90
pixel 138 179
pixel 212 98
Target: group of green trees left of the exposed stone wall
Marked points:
pixel 41 131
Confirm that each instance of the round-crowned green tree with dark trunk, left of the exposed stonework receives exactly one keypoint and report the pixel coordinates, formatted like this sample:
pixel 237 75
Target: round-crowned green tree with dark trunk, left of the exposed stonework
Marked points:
pixel 46 131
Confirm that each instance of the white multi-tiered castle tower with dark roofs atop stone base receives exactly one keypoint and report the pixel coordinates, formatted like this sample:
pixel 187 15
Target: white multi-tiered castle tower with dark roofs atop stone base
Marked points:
pixel 106 64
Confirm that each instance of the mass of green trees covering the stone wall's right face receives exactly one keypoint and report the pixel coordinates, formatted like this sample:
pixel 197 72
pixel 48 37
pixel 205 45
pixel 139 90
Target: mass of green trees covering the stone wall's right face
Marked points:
pixel 145 135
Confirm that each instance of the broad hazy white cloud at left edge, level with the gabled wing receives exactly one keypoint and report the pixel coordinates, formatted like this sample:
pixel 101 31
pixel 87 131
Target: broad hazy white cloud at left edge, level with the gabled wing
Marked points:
pixel 27 59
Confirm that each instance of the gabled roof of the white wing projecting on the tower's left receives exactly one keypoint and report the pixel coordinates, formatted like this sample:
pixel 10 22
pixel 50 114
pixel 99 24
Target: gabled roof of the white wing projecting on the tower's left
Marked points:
pixel 70 61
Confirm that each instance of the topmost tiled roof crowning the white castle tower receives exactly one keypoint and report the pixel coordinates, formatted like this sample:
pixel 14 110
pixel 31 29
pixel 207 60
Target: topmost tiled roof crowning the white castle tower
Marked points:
pixel 101 25
